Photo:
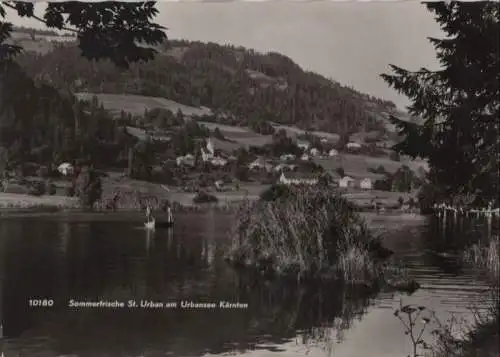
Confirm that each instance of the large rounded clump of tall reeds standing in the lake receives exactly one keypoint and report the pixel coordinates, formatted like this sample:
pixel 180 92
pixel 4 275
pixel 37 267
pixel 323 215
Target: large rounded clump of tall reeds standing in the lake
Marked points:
pixel 309 233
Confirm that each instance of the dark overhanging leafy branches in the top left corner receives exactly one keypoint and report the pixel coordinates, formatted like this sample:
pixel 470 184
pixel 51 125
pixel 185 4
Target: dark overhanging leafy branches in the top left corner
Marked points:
pixel 104 30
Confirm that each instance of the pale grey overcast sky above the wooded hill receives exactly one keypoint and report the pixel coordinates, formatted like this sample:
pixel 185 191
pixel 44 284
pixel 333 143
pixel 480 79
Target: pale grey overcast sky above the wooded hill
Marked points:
pixel 350 42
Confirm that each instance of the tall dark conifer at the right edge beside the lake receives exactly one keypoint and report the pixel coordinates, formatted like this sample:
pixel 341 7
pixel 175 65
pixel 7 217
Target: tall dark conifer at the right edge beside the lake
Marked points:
pixel 460 103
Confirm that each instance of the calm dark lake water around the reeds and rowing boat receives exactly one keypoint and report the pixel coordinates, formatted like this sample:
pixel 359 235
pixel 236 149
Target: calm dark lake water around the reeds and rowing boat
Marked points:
pixel 113 258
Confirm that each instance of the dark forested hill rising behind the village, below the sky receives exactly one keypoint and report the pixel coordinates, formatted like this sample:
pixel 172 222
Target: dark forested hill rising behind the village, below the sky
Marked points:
pixel 239 84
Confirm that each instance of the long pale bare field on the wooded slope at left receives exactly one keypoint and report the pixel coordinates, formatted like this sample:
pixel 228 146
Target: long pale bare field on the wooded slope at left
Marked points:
pixel 136 104
